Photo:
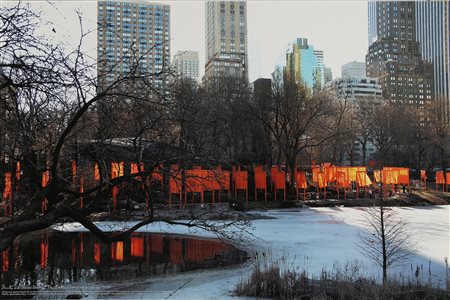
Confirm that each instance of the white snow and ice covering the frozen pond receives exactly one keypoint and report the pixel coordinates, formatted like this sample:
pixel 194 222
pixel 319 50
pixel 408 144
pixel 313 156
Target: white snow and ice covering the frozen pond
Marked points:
pixel 310 238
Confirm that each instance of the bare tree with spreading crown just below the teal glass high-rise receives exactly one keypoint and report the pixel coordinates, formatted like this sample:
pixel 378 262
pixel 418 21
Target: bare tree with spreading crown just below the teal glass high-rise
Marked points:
pixel 297 120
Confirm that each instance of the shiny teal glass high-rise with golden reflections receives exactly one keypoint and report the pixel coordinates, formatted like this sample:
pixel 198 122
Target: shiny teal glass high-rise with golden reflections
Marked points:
pixel 303 63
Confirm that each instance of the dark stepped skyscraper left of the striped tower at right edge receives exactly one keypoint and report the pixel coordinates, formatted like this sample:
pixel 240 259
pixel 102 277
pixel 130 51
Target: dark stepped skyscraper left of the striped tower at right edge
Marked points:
pixel 394 55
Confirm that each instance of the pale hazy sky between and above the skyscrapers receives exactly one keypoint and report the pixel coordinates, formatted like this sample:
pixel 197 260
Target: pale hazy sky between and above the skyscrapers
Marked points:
pixel 339 28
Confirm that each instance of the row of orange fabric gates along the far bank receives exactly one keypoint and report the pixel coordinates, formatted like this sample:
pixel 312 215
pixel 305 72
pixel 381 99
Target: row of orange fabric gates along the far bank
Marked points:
pixel 200 181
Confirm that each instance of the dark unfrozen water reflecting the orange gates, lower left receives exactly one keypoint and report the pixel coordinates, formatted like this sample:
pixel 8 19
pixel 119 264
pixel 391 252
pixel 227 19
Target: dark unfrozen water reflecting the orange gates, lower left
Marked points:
pixel 57 258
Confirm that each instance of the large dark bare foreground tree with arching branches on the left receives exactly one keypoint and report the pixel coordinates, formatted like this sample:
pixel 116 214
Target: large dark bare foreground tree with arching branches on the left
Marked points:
pixel 55 116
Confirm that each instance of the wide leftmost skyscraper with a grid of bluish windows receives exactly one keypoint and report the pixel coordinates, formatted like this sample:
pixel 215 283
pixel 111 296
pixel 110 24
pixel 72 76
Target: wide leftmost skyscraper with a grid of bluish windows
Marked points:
pixel 132 33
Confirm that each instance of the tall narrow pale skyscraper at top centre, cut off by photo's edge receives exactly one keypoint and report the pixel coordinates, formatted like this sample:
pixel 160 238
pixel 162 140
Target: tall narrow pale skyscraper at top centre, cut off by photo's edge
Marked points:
pixel 226 39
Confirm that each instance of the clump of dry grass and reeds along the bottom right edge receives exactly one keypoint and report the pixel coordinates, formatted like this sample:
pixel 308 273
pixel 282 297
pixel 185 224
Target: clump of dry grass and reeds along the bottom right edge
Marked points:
pixel 276 279
